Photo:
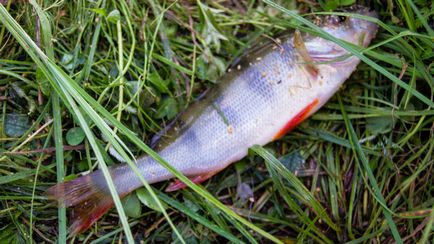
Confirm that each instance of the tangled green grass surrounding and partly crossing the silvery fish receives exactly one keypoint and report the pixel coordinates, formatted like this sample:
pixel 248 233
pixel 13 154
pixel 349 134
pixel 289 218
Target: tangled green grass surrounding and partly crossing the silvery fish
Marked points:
pixel 360 170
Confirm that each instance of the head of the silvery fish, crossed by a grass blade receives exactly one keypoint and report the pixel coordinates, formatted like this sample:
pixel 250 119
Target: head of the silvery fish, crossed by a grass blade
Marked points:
pixel 331 64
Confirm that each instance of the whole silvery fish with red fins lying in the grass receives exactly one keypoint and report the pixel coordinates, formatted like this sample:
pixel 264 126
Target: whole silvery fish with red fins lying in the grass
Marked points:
pixel 257 101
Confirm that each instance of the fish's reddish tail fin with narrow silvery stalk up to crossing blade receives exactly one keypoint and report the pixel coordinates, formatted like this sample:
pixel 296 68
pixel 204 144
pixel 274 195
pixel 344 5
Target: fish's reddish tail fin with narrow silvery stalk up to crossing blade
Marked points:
pixel 89 195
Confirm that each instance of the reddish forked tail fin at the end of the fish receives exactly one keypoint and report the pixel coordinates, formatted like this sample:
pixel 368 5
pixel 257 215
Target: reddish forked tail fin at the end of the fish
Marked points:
pixel 89 197
